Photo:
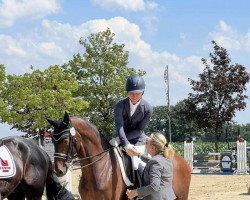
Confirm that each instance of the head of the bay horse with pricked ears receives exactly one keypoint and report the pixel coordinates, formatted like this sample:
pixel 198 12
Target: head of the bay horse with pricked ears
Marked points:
pixel 63 138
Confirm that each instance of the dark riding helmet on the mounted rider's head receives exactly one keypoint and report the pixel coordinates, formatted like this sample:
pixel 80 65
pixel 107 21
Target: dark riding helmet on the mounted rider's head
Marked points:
pixel 135 83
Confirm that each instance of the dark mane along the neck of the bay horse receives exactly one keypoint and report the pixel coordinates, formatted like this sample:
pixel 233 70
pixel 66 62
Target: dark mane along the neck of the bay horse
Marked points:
pixel 103 139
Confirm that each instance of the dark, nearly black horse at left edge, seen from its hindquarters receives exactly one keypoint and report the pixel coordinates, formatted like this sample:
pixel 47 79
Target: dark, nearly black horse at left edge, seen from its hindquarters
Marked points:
pixel 33 170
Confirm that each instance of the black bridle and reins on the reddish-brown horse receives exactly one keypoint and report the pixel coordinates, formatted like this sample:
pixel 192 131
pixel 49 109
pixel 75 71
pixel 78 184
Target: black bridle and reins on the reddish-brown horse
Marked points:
pixel 70 157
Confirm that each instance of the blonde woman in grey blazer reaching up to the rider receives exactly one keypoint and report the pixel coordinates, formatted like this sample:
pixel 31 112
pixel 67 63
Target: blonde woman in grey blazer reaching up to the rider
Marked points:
pixel 158 173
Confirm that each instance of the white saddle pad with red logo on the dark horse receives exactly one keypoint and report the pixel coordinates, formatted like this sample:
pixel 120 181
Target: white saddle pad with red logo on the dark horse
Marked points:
pixel 7 164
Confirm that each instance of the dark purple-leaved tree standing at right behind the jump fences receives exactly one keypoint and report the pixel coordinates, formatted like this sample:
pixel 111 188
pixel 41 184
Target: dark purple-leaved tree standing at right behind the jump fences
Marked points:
pixel 218 94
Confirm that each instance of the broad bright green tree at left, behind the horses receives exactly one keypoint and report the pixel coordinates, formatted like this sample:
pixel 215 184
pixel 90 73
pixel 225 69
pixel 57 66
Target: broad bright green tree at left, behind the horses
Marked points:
pixel 31 96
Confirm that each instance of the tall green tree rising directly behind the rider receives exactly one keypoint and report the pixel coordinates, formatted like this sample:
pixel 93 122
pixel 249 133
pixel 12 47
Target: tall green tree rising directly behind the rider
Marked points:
pixel 101 73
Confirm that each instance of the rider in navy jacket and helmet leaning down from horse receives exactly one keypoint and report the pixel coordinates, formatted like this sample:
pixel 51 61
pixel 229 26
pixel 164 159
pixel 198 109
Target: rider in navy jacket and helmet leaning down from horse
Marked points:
pixel 132 115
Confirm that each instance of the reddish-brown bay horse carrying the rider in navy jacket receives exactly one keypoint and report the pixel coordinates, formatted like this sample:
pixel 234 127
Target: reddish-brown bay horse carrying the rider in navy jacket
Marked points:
pixel 101 175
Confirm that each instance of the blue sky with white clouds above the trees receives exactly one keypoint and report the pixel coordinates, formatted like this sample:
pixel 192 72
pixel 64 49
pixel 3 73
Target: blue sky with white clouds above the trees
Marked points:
pixel 156 33
